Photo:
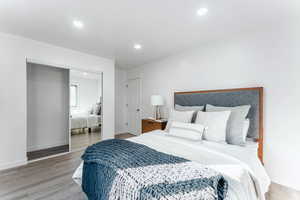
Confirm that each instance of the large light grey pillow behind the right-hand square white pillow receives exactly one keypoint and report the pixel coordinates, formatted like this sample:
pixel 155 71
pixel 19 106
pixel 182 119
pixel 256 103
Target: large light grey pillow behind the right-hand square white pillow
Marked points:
pixel 234 132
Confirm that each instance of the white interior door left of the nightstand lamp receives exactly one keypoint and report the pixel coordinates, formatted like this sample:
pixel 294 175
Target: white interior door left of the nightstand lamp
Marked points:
pixel 133 101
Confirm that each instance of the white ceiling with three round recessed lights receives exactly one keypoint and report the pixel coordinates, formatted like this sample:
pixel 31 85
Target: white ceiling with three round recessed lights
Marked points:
pixel 162 27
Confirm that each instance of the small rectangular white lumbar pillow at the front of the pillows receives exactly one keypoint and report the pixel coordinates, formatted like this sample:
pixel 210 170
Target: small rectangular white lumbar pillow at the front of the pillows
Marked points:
pixel 186 130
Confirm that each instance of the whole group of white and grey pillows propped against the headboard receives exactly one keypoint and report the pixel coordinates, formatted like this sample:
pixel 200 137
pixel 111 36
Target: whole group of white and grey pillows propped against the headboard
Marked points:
pixel 217 124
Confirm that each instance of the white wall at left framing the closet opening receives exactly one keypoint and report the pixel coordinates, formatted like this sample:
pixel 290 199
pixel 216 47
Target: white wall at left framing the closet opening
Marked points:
pixel 13 53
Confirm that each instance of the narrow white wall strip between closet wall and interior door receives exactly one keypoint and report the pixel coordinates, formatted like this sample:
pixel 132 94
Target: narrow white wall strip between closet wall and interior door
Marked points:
pixel 121 100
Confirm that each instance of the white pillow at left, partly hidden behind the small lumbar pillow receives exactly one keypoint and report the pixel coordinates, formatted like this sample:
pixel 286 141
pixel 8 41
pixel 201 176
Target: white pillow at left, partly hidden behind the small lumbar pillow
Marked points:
pixel 179 116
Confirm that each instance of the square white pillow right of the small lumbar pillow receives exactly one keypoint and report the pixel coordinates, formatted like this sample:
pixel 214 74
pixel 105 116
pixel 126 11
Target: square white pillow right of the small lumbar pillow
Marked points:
pixel 216 123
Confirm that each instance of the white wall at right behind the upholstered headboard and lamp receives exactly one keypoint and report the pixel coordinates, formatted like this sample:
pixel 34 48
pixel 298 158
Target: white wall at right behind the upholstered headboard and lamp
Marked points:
pixel 269 59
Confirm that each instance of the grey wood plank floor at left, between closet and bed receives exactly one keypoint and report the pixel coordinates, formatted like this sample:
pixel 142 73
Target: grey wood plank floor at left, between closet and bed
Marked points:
pixel 45 179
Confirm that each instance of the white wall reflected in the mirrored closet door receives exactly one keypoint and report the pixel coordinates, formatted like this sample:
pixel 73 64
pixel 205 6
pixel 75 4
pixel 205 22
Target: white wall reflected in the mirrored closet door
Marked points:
pixel 89 93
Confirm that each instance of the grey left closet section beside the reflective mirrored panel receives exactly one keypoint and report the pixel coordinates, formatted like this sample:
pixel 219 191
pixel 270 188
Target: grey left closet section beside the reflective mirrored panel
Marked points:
pixel 47 110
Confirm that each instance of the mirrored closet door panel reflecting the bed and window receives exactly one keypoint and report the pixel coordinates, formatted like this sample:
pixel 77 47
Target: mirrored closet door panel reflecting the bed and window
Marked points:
pixel 85 108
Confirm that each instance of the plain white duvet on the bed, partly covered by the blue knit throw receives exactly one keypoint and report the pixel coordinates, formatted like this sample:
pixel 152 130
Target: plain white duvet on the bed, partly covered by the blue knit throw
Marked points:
pixel 246 176
